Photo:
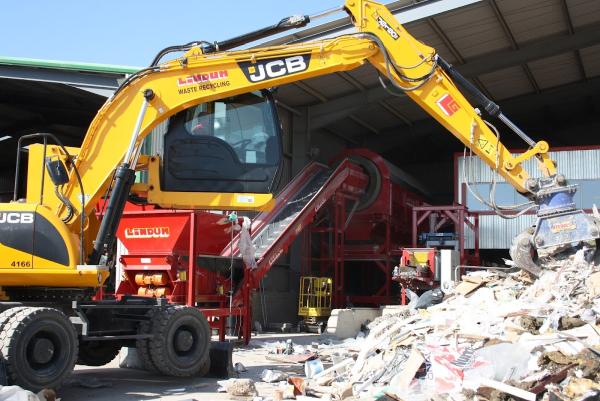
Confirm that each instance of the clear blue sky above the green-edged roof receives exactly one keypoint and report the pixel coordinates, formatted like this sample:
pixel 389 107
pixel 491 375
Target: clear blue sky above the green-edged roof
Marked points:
pixel 131 32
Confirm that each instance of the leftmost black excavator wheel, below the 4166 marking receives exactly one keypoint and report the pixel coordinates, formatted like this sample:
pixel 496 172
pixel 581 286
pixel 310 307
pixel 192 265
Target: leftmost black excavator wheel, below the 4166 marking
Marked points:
pixel 39 347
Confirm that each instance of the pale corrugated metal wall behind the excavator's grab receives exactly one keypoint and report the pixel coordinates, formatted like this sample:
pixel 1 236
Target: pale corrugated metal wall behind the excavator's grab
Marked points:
pixel 579 166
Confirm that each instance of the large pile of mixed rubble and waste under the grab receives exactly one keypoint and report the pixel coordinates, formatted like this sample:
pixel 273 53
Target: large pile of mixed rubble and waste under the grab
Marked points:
pixel 497 336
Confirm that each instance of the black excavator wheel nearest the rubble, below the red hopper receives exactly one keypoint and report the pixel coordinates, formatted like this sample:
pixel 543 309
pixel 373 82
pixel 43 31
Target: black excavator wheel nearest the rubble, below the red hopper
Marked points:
pixel 180 345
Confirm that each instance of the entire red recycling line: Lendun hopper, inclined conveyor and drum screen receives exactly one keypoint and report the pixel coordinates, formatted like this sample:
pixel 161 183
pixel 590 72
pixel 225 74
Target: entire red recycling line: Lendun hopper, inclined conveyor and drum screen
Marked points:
pixel 372 235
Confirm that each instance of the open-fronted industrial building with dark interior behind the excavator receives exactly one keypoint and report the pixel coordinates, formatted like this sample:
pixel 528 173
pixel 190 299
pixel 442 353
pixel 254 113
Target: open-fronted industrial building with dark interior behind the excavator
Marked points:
pixel 540 60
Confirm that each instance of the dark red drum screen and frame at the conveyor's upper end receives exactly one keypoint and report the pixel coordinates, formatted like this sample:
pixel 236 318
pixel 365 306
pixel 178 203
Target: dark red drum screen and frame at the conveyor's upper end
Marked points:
pixel 351 235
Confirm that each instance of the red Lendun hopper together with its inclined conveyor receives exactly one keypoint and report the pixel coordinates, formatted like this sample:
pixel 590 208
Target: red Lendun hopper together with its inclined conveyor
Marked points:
pixel 157 257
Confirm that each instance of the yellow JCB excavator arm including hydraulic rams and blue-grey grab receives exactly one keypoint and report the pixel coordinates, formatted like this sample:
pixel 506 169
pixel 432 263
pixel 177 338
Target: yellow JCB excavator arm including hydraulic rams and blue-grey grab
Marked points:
pixel 207 72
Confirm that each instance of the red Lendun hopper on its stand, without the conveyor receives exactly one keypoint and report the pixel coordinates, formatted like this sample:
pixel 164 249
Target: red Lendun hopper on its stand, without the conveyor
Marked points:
pixel 154 256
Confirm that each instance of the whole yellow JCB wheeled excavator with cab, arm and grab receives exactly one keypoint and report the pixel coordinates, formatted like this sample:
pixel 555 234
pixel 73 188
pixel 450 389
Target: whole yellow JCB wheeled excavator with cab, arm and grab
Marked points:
pixel 221 151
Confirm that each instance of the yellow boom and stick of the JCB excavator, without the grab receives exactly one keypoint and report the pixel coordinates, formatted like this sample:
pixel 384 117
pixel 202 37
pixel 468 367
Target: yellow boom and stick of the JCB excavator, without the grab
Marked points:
pixel 157 93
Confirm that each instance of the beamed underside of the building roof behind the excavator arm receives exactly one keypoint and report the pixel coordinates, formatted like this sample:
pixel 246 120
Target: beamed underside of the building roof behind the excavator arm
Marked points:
pixel 534 57
